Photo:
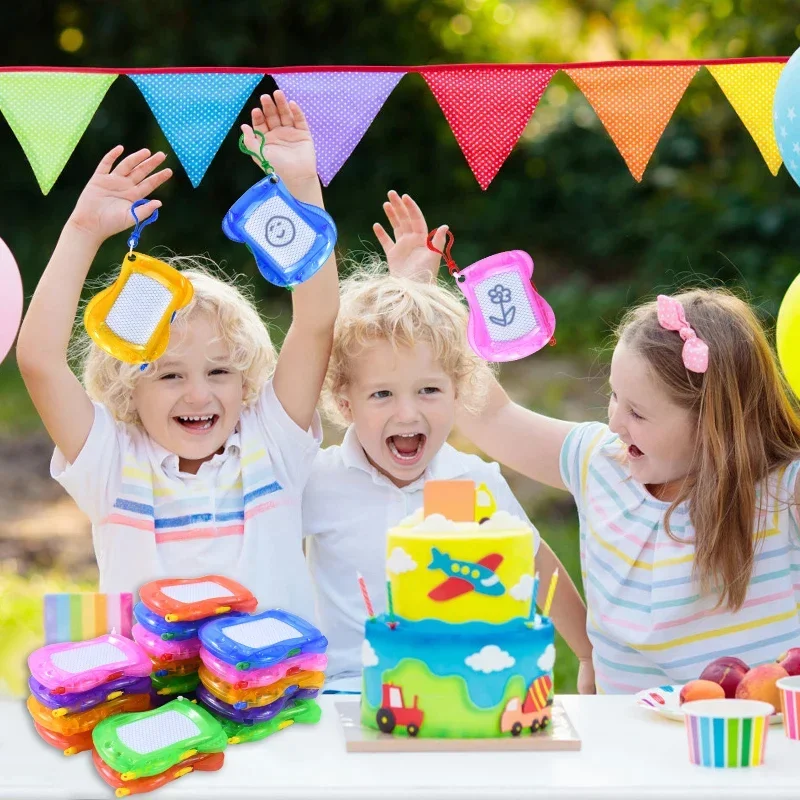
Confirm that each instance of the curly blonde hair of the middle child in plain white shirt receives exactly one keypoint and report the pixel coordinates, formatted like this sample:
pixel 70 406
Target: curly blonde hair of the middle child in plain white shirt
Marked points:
pixel 376 306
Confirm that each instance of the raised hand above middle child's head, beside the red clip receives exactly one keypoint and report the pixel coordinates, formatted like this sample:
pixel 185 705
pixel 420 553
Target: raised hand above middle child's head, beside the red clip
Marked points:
pixel 408 255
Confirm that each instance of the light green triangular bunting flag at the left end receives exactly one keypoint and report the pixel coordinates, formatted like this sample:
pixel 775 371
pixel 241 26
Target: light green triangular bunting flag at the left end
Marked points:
pixel 49 112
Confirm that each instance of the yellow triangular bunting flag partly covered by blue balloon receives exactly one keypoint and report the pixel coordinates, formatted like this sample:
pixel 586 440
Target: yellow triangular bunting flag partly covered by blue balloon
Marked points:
pixel 750 89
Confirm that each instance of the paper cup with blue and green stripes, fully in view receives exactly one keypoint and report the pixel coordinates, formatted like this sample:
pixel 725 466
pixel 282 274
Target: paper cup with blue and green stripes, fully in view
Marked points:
pixel 727 733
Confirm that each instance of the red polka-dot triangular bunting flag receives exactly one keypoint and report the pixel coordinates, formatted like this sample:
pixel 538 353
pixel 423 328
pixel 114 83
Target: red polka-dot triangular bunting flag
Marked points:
pixel 488 107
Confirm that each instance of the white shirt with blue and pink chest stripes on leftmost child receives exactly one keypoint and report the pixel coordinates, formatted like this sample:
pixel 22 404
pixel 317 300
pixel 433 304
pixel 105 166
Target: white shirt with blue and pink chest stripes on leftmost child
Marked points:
pixel 239 516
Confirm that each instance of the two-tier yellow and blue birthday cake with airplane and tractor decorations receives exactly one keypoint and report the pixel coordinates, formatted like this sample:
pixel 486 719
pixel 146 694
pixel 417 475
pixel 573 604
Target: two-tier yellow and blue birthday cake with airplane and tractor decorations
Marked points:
pixel 460 653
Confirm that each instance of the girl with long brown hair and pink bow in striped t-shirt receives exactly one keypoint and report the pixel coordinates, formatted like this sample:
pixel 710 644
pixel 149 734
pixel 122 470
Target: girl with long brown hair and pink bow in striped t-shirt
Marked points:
pixel 687 498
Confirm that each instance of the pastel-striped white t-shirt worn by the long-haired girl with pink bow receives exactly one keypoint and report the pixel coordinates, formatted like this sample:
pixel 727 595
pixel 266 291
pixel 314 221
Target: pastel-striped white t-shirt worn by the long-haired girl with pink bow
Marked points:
pixel 647 621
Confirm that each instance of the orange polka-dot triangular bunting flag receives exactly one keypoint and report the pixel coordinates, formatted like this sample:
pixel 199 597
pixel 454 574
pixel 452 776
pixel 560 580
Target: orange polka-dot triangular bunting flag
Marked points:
pixel 634 103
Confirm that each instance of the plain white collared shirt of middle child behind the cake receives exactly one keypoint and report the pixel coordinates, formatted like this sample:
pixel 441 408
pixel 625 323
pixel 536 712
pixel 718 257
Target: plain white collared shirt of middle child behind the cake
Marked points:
pixel 348 507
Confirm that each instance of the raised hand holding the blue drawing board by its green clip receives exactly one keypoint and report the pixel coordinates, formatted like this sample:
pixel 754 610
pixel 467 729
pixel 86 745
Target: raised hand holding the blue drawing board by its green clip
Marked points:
pixel 288 143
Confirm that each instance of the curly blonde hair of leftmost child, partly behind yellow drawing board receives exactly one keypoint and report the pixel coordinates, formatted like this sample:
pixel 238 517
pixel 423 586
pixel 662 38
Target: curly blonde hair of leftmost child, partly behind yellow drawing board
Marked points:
pixel 228 302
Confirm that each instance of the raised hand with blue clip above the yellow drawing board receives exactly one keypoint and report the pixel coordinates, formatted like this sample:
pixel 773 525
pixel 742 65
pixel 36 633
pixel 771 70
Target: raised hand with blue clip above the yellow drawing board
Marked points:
pixel 104 207
